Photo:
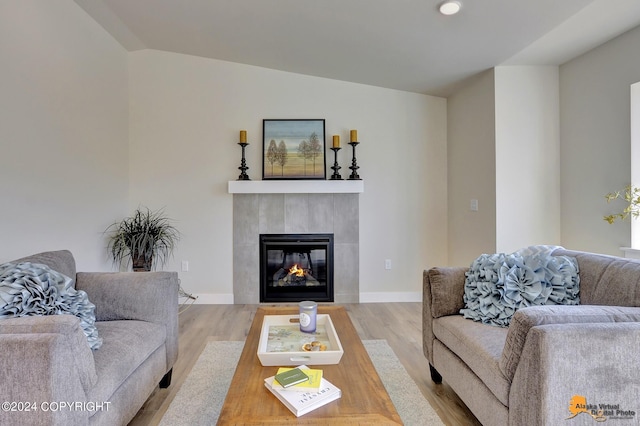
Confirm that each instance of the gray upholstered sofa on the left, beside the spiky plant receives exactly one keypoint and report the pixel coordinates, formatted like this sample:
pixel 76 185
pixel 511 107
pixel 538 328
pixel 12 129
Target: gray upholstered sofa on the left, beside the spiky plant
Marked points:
pixel 50 376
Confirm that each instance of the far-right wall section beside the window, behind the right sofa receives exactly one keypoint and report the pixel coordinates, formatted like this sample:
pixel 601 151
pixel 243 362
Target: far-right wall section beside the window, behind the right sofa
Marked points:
pixel 595 148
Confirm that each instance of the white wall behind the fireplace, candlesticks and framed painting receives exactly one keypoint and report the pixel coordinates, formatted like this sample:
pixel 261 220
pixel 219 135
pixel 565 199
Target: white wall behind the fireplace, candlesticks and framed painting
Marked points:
pixel 185 116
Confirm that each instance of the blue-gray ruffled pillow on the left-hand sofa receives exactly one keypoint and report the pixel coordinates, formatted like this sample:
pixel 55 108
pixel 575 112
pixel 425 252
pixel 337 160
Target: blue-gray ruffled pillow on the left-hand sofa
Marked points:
pixel 34 289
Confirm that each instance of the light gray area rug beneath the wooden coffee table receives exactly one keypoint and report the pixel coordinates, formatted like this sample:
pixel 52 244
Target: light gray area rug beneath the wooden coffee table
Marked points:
pixel 200 398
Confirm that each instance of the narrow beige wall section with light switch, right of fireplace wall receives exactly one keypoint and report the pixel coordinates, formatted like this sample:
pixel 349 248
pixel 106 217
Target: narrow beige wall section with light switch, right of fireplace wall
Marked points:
pixel 472 170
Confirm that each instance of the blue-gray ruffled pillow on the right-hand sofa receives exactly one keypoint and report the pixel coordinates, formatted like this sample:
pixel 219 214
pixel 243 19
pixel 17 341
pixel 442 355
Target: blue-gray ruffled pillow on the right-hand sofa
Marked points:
pixel 497 285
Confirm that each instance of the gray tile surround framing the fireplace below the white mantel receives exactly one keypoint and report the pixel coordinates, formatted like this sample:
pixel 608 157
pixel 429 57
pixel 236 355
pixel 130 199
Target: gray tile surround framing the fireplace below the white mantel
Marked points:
pixel 269 213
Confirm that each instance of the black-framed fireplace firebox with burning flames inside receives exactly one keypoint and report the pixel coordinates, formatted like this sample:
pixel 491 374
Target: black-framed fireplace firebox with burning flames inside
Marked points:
pixel 296 267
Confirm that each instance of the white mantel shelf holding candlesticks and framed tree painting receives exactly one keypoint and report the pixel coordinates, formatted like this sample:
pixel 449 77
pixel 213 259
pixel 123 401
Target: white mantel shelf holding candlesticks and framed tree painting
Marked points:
pixel 296 186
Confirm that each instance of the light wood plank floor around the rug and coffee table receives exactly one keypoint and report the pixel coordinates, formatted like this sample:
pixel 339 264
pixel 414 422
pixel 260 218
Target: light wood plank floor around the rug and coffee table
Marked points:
pixel 400 324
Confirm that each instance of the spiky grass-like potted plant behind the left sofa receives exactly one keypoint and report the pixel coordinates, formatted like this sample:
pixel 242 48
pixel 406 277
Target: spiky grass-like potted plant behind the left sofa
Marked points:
pixel 144 239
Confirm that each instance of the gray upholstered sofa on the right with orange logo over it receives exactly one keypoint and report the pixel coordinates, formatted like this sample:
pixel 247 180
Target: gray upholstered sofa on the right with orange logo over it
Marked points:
pixel 536 371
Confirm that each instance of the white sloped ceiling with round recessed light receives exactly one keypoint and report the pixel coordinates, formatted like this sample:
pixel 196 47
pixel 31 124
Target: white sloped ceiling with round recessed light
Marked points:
pixel 399 44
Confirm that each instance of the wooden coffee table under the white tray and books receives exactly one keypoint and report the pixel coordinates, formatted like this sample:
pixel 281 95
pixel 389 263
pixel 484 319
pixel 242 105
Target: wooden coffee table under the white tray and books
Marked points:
pixel 364 399
